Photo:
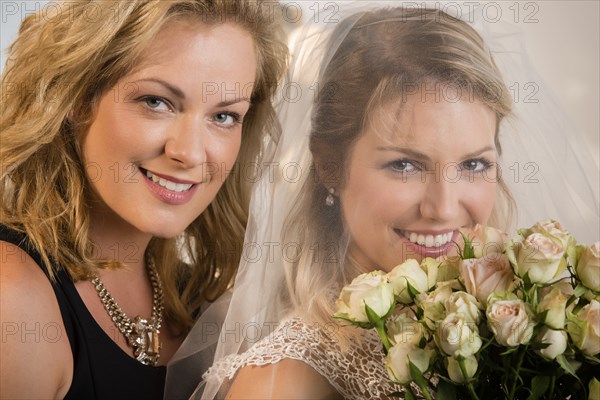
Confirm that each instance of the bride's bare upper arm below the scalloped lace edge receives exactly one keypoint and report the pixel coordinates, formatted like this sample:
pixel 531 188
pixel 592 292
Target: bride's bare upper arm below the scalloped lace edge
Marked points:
pixel 287 379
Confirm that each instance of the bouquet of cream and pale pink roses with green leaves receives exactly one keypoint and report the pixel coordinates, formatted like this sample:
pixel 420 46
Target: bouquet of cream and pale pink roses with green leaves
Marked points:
pixel 516 319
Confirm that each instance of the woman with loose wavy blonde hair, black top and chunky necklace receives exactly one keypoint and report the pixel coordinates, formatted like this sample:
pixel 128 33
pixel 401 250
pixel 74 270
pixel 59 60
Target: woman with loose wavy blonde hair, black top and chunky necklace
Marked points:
pixel 123 134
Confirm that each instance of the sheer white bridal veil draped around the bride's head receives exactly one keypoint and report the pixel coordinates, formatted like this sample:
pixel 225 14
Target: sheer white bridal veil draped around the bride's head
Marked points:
pixel 546 164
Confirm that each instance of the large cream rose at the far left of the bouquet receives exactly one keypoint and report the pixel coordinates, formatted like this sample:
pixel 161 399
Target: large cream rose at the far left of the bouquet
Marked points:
pixel 371 289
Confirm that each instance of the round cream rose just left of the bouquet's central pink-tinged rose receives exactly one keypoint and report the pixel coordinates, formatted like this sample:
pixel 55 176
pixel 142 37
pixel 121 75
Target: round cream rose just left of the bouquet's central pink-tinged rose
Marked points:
pixel 457 336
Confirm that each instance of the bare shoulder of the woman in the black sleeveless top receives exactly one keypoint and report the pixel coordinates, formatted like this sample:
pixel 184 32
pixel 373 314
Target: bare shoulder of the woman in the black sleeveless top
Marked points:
pixel 35 354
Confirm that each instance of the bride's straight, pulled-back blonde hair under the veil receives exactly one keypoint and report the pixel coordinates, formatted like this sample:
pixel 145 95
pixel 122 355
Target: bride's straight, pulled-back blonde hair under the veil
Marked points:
pixel 384 52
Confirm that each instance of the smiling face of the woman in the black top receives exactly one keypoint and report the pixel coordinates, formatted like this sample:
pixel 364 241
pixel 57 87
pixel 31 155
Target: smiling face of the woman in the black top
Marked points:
pixel 164 139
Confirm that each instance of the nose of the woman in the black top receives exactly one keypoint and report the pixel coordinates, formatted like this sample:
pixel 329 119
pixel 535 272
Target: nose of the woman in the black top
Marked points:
pixel 186 143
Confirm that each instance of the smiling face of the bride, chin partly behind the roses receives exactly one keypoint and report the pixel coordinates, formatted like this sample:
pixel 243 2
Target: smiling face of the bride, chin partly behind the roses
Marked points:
pixel 419 172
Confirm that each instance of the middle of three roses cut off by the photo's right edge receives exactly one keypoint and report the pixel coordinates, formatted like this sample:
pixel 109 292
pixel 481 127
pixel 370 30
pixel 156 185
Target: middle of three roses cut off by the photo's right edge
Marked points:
pixel 584 328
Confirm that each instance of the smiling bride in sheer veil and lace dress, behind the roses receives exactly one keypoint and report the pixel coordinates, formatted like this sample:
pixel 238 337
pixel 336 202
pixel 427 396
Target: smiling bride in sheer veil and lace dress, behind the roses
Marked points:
pixel 411 133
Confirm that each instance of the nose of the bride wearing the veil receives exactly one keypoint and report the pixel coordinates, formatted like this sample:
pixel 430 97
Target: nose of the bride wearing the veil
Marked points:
pixel 441 200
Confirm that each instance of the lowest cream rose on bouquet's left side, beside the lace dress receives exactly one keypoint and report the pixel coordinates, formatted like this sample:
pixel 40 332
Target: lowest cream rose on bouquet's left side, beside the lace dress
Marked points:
pixel 397 361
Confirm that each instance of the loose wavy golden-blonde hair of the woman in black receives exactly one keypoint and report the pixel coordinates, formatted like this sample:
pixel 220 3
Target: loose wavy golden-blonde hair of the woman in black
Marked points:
pixel 61 66
